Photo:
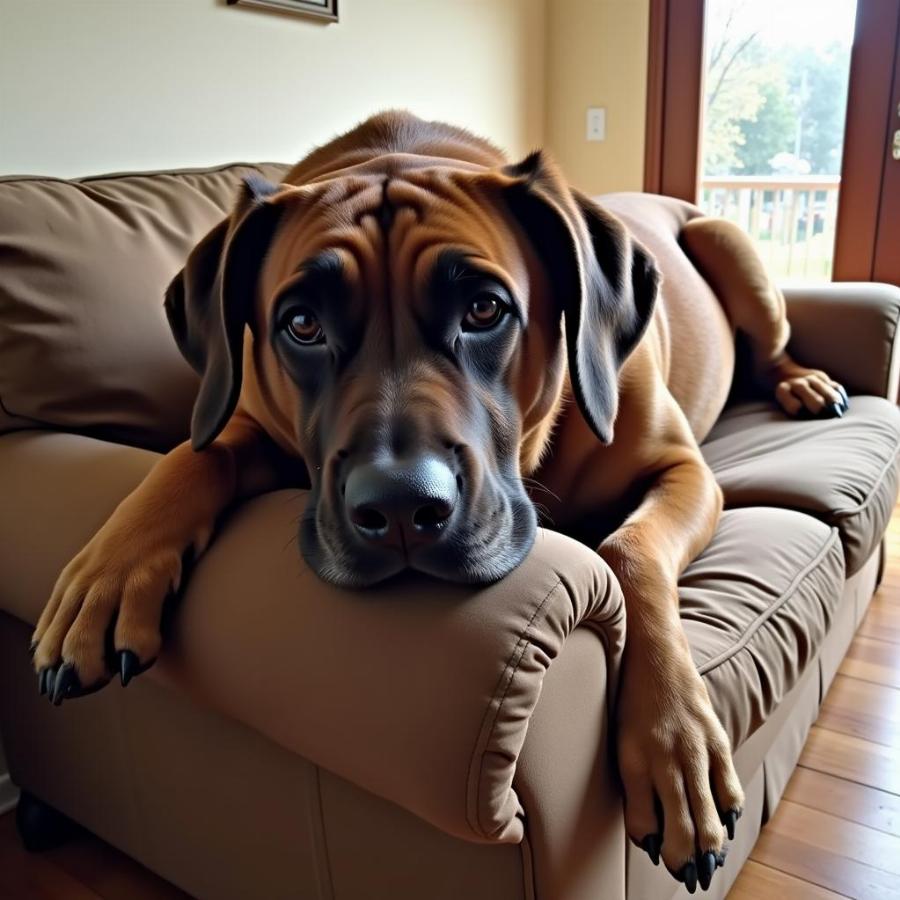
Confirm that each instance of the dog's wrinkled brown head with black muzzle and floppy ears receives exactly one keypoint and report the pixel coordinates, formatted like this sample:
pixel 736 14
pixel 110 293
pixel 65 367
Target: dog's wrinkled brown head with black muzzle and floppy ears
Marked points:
pixel 407 331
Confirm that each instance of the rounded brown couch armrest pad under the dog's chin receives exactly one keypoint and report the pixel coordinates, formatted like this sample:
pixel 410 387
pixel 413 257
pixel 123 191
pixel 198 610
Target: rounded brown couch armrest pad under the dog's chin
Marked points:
pixel 419 691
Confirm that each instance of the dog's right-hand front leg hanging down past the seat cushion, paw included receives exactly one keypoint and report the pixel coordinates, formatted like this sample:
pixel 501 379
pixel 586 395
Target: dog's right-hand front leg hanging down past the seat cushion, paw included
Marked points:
pixel 674 756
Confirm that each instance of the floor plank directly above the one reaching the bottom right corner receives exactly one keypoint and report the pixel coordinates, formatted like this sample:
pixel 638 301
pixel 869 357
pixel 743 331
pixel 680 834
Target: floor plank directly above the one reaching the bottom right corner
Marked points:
pixel 851 801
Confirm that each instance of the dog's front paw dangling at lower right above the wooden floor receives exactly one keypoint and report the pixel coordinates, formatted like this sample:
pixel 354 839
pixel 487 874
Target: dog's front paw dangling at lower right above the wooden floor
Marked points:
pixel 682 794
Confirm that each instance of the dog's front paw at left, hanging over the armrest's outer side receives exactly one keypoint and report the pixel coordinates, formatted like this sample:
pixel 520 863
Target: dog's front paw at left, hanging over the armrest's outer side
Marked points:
pixel 103 616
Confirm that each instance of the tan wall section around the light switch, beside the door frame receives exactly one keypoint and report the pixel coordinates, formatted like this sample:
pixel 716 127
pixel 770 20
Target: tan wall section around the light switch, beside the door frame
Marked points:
pixel 597 56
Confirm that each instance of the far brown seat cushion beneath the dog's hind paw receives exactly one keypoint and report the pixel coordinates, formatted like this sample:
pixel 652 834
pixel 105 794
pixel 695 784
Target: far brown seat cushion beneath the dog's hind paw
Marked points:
pixel 843 471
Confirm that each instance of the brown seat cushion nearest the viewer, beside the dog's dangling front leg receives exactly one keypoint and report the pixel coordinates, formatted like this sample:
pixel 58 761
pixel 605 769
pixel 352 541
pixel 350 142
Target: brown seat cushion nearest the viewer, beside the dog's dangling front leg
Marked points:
pixel 756 605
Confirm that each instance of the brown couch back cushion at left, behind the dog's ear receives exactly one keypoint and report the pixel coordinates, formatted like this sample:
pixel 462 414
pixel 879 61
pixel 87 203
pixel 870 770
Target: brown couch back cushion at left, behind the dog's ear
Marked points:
pixel 84 264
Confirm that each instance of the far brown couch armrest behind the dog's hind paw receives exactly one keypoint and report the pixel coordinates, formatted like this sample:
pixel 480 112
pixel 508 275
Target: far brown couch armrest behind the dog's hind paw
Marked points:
pixel 850 330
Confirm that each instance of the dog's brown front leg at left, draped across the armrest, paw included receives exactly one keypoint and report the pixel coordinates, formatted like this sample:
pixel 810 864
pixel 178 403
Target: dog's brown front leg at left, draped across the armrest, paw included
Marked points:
pixel 105 609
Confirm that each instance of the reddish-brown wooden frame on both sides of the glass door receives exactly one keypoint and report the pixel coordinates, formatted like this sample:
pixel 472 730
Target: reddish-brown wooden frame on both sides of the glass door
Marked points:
pixel 674 119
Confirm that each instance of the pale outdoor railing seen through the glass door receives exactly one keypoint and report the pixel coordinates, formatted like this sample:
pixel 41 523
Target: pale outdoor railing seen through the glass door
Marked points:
pixel 791 219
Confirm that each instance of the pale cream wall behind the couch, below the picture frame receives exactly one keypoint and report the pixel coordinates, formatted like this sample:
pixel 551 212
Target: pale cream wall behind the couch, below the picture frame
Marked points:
pixel 104 85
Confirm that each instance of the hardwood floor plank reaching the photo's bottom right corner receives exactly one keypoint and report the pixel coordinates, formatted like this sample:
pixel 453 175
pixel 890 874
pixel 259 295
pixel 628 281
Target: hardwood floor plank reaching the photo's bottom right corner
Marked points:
pixel 831 852
